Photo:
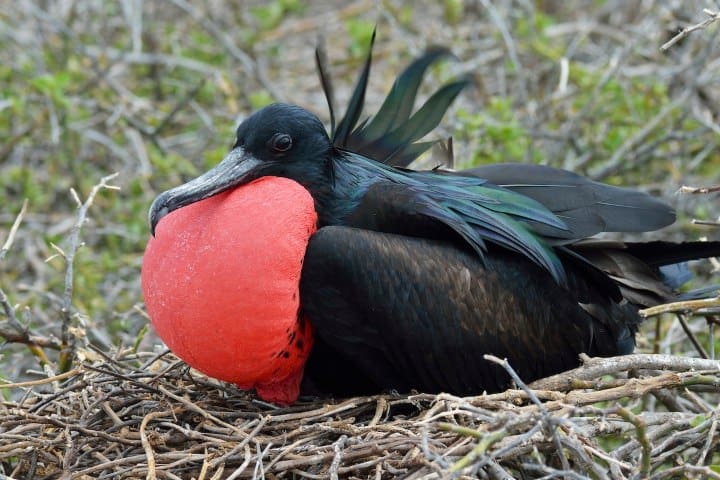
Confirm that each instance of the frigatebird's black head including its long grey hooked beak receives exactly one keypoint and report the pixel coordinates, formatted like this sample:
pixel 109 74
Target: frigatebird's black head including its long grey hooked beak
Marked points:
pixel 278 140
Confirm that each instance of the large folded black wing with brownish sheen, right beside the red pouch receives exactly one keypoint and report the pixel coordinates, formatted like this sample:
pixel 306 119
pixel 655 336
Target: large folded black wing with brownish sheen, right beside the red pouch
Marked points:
pixel 400 312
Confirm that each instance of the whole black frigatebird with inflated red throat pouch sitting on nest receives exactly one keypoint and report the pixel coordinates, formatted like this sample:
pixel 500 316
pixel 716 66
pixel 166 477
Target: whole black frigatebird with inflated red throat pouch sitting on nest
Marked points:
pixel 309 262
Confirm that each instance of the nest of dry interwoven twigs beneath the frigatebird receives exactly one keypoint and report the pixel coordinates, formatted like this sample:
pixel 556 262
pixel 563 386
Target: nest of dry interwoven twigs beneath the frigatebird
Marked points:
pixel 138 416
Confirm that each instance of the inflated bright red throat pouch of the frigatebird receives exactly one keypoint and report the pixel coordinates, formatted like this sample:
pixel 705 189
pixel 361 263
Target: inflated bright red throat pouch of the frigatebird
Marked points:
pixel 221 284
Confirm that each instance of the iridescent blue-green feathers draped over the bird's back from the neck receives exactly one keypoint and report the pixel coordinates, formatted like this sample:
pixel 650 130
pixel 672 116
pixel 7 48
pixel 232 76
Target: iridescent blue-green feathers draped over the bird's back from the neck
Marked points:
pixel 478 212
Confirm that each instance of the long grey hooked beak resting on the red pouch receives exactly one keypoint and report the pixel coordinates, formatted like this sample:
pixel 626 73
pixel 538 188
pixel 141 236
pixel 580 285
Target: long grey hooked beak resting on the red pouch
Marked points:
pixel 234 170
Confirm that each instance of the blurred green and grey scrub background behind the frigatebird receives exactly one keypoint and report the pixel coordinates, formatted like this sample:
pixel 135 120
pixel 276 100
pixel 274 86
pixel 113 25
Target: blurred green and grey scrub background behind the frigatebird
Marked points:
pixel 153 90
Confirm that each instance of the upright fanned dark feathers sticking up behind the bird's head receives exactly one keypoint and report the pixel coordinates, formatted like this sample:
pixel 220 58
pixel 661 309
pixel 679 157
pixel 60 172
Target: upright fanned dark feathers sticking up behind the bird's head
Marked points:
pixel 391 135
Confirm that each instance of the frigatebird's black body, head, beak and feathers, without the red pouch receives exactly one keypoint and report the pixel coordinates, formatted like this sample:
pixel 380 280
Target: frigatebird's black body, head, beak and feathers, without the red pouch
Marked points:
pixel 413 276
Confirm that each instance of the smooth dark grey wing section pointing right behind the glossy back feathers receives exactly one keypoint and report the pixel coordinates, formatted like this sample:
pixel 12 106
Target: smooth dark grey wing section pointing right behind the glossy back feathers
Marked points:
pixel 586 207
